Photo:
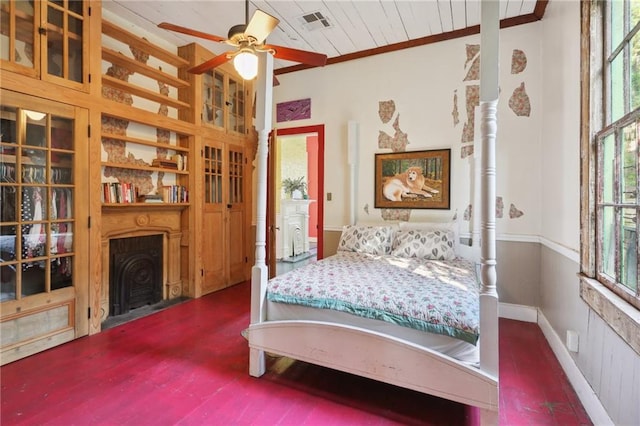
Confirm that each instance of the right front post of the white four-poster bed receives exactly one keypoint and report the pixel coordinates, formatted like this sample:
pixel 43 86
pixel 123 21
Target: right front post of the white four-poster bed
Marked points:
pixel 489 71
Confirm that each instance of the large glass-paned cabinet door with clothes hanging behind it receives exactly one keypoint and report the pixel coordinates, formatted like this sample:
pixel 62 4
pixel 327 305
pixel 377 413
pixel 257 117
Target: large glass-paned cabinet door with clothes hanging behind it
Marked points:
pixel 37 199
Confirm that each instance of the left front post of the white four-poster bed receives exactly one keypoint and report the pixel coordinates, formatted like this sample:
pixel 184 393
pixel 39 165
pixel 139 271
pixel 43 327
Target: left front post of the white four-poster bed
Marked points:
pixel 259 272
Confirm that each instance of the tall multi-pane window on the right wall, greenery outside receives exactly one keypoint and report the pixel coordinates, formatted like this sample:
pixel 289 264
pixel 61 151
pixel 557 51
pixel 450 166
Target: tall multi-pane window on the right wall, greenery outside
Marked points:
pixel 617 165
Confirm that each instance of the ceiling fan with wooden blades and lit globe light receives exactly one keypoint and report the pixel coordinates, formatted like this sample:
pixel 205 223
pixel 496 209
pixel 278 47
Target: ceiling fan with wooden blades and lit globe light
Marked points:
pixel 248 39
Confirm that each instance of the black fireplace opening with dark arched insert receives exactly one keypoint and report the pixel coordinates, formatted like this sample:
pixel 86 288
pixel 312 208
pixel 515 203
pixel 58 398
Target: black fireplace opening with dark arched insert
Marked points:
pixel 135 277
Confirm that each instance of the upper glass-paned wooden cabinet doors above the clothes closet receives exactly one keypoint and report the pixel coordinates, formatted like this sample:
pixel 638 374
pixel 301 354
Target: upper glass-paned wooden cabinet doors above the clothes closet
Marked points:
pixel 46 40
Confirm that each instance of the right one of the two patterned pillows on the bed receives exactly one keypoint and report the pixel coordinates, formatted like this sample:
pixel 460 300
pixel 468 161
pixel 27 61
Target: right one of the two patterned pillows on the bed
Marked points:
pixel 427 244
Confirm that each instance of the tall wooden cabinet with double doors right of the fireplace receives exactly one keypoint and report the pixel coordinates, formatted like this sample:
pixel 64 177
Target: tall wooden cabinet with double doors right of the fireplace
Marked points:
pixel 223 103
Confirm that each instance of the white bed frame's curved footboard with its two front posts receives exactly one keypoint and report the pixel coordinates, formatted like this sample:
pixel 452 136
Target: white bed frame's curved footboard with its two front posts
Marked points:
pixel 351 349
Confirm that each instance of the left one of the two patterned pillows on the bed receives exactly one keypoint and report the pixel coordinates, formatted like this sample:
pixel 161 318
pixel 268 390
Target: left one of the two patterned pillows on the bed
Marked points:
pixel 366 239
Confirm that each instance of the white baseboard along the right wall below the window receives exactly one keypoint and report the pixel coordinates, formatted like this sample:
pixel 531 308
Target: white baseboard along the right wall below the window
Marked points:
pixel 587 397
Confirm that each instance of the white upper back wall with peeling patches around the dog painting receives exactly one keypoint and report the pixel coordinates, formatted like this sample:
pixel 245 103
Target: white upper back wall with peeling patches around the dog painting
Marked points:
pixel 421 81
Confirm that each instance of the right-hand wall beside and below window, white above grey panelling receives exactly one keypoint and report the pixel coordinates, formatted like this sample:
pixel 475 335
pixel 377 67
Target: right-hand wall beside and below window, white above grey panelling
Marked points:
pixel 601 352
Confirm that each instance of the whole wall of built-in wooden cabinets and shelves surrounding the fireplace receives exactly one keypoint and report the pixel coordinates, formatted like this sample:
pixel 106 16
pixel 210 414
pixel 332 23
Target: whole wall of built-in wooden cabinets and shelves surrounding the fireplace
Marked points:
pixel 142 122
